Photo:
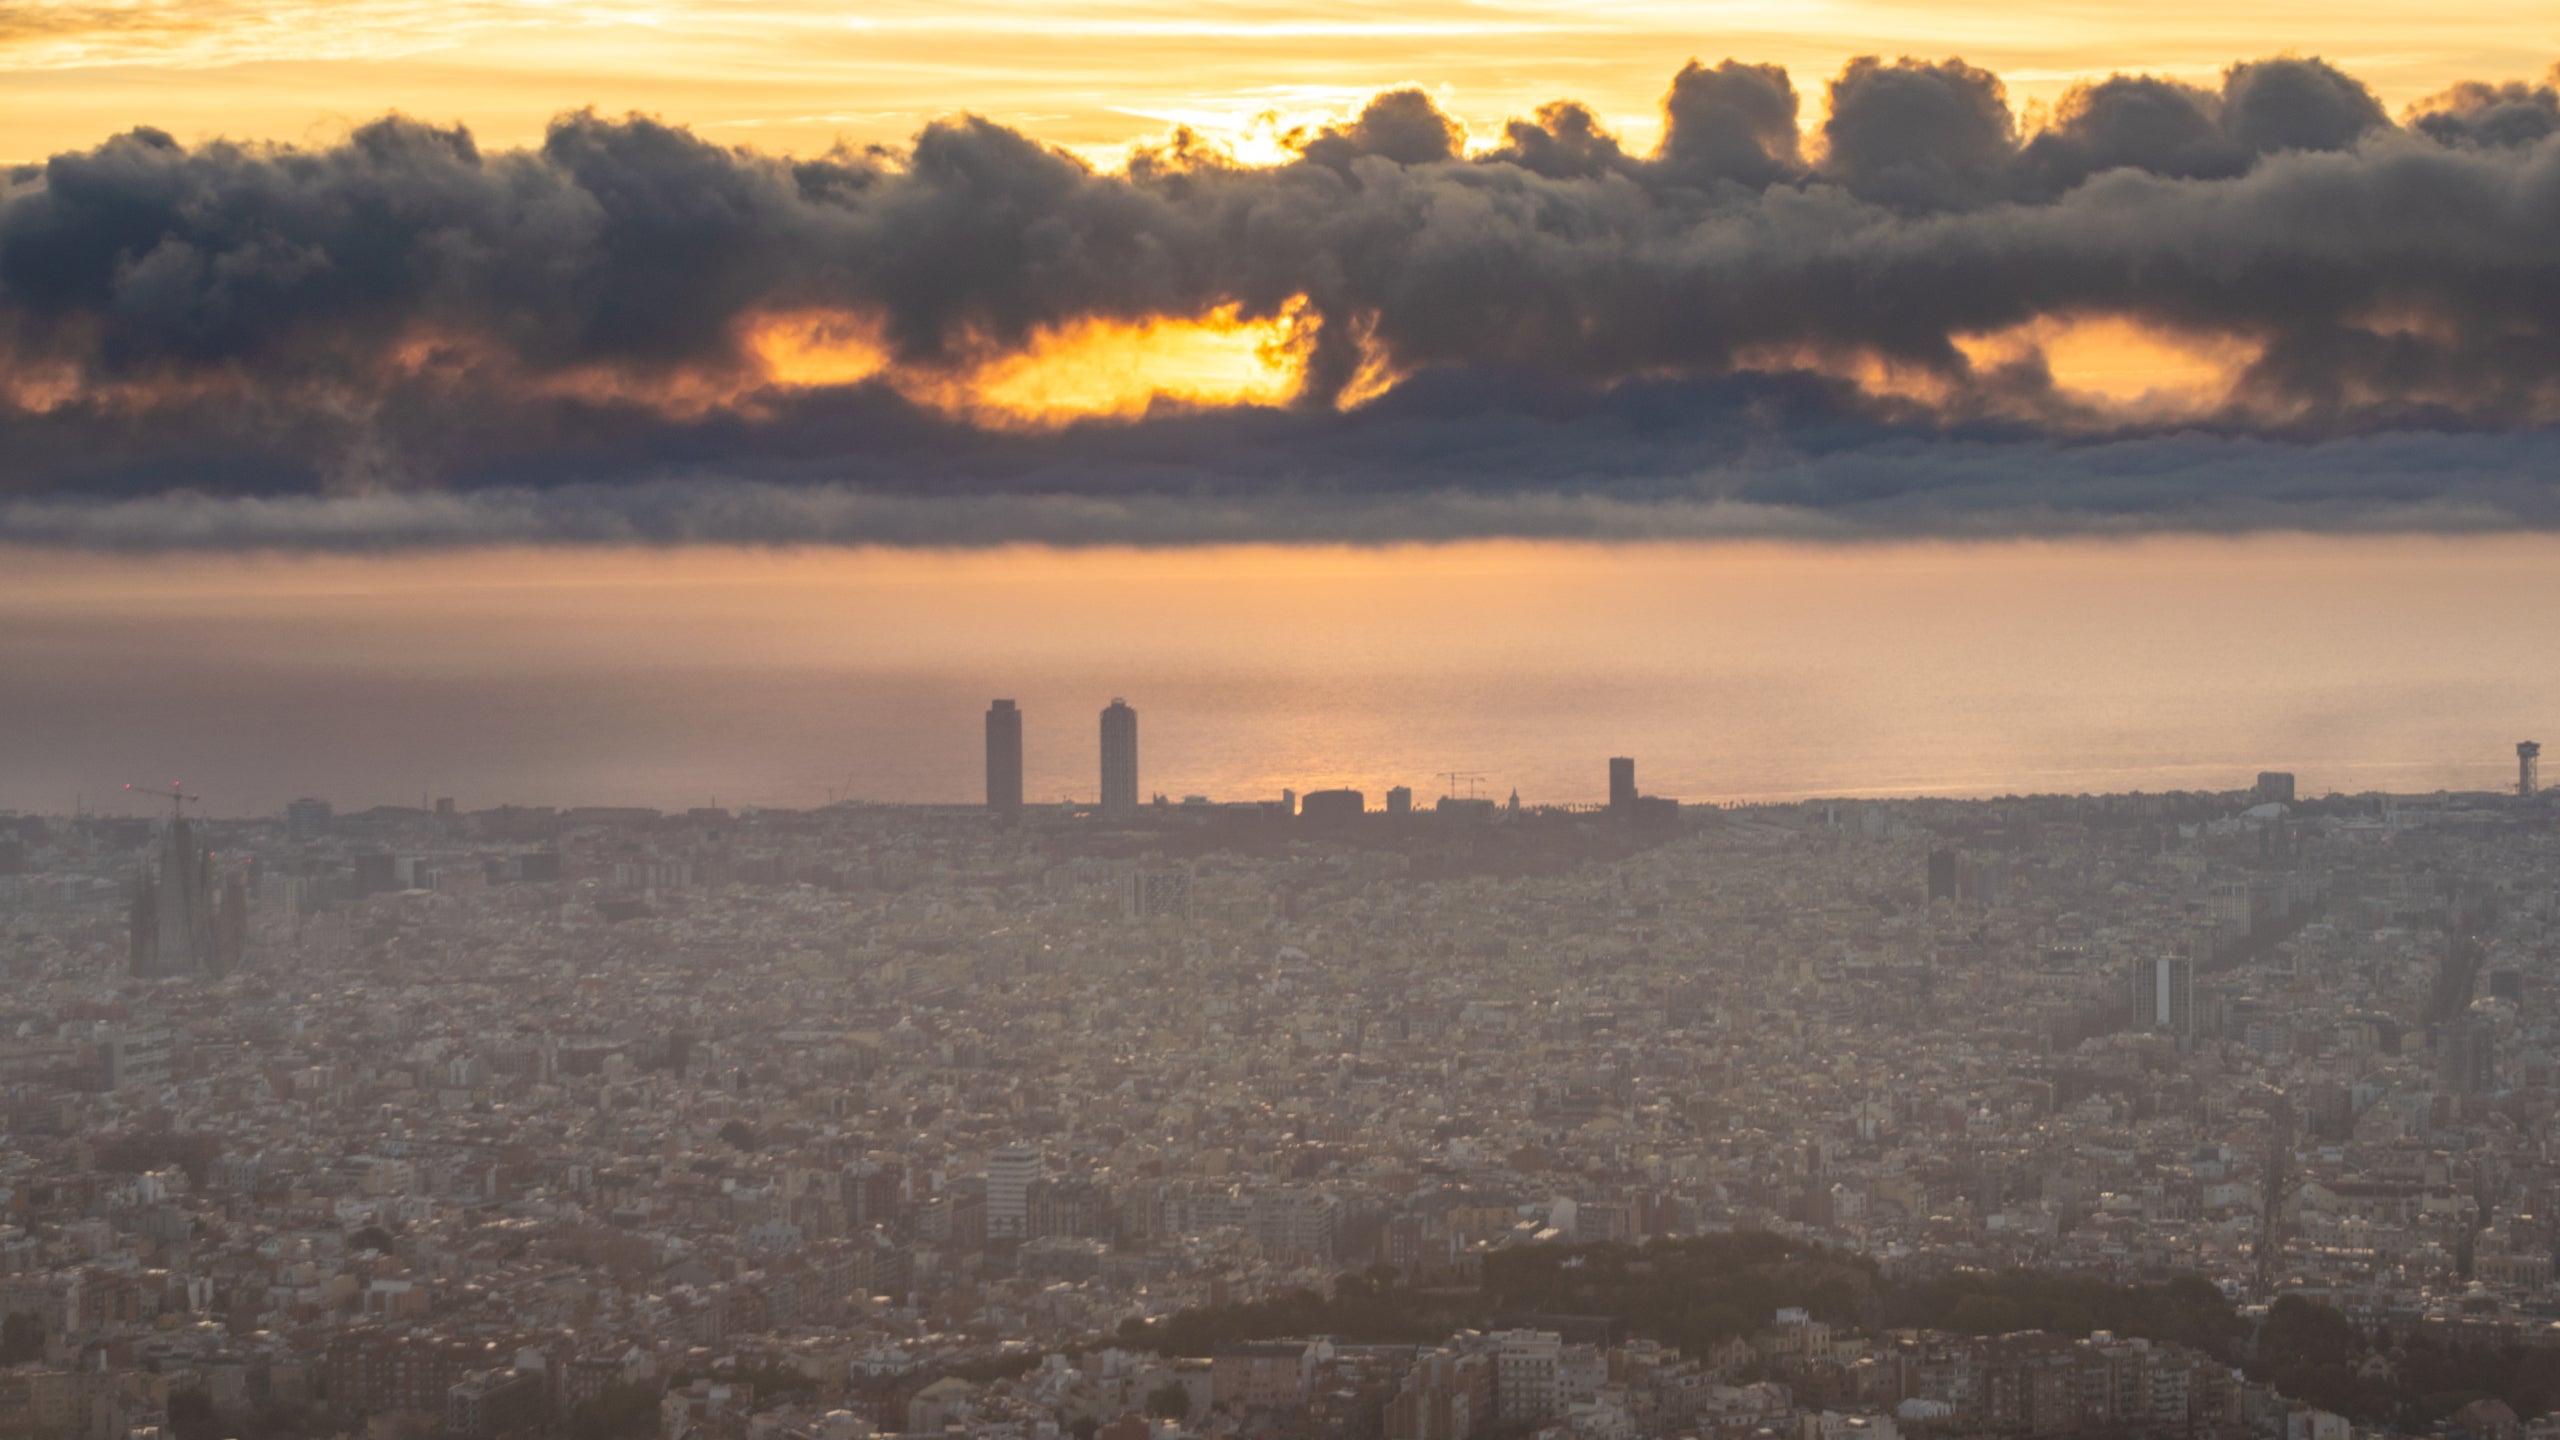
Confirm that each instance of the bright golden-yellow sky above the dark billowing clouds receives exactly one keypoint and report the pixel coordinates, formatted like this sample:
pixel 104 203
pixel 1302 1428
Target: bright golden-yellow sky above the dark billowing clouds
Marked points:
pixel 1107 73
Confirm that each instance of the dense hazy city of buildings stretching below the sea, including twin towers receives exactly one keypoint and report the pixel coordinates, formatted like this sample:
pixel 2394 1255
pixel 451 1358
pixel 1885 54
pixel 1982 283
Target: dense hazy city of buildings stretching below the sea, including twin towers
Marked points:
pixel 2134 1116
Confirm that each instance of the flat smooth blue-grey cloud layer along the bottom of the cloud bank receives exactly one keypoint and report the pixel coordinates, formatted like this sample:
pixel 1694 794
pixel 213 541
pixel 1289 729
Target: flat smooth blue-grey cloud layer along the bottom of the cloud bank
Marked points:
pixel 1919 488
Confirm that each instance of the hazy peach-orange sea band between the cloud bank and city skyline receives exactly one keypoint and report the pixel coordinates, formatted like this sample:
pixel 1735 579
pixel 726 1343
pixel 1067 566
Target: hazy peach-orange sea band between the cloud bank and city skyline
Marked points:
pixel 1729 673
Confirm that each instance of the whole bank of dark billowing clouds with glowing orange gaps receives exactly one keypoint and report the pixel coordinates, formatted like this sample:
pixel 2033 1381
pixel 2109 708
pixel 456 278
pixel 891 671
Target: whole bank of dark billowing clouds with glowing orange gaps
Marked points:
pixel 1578 327
